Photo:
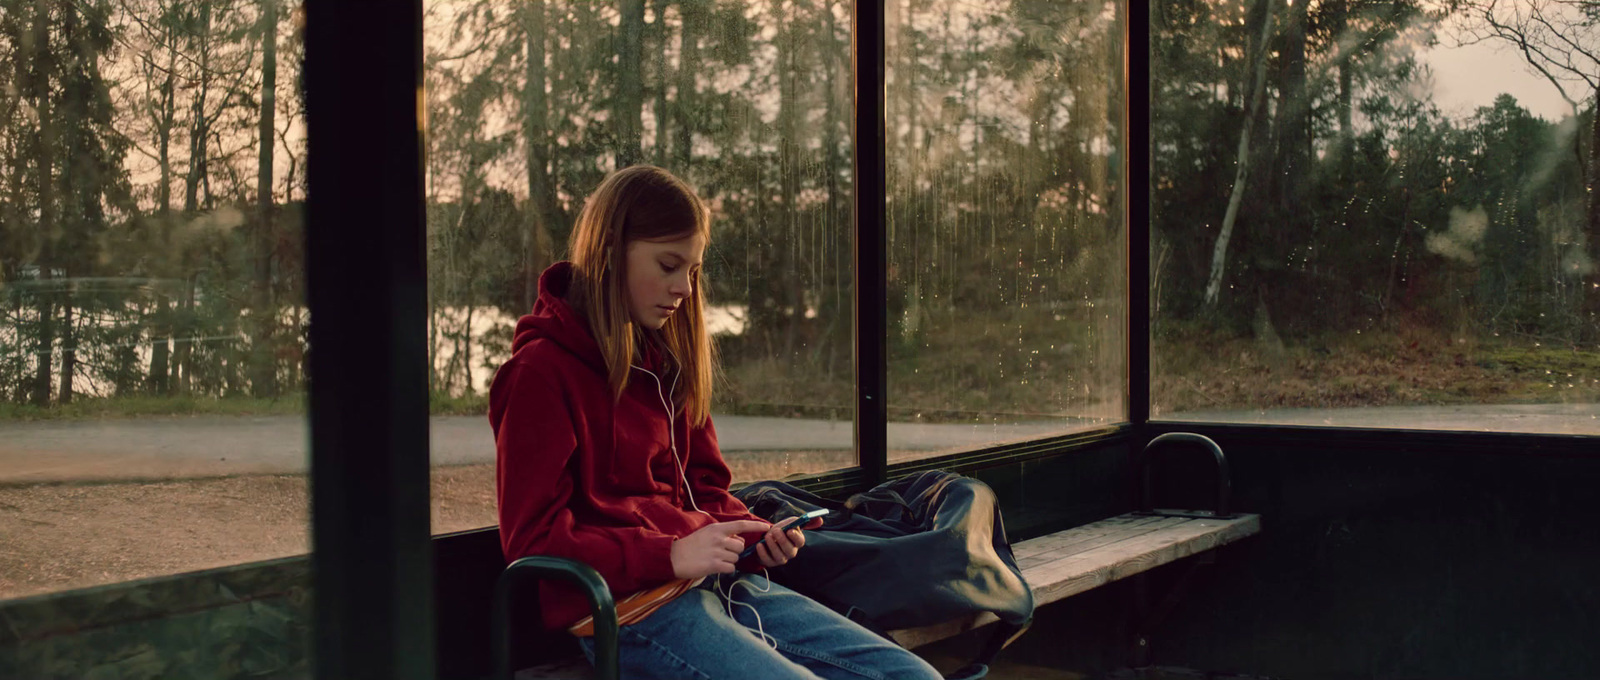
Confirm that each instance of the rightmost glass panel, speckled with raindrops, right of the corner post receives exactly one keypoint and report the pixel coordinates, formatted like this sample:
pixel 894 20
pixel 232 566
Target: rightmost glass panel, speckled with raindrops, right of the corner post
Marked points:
pixel 1375 215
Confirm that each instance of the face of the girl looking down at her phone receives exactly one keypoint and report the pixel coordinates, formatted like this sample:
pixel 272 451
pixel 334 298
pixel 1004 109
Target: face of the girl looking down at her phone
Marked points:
pixel 662 276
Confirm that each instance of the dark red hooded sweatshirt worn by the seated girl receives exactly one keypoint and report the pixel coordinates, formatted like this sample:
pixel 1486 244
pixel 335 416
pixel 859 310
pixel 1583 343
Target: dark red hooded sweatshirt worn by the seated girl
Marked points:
pixel 590 478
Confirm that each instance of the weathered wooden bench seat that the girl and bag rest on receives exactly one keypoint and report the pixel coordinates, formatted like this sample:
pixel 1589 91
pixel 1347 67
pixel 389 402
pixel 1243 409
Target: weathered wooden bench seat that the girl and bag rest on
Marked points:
pixel 1060 566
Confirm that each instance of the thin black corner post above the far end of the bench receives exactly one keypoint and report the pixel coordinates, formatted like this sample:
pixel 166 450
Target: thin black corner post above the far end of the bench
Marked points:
pixel 1137 194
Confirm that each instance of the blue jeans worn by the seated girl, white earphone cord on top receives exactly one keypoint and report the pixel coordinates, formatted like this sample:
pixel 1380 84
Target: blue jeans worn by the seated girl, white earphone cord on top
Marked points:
pixel 694 638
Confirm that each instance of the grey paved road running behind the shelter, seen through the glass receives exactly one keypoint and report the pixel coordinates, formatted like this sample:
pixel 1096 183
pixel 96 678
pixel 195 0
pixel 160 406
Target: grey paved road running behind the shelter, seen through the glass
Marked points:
pixel 218 446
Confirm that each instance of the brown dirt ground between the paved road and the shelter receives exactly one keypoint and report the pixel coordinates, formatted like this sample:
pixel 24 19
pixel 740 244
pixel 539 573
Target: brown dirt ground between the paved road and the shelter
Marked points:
pixel 65 537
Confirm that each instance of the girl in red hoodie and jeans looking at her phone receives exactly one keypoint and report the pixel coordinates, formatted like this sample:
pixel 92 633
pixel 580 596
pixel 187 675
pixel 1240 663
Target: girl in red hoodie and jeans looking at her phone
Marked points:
pixel 607 455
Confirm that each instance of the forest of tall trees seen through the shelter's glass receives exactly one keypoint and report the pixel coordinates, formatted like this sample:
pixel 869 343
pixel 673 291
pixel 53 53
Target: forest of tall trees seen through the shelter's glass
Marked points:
pixel 1305 190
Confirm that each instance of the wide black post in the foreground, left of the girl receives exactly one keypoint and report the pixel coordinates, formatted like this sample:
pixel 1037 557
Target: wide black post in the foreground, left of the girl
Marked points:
pixel 369 372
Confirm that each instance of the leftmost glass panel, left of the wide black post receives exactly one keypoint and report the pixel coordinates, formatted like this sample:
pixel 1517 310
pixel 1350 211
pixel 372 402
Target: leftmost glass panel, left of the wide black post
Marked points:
pixel 153 342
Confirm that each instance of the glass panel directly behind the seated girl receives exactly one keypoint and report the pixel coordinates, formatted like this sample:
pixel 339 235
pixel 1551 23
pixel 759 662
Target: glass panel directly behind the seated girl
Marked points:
pixel 750 103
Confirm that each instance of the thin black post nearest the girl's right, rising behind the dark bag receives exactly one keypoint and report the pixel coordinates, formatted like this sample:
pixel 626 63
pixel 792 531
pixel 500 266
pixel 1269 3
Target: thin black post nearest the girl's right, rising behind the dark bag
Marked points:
pixel 871 258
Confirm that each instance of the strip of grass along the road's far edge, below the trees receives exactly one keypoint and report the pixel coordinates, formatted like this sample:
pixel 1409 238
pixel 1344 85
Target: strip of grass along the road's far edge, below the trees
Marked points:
pixel 1033 364
